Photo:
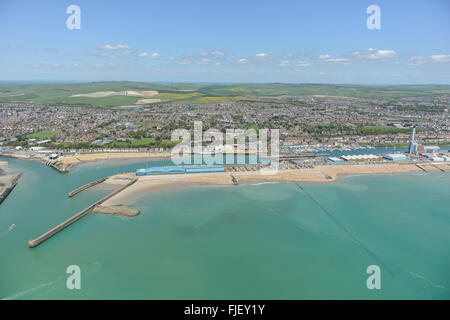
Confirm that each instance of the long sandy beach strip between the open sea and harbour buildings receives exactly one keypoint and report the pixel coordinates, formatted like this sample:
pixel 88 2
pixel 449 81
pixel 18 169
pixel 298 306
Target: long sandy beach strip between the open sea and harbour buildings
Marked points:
pixel 326 173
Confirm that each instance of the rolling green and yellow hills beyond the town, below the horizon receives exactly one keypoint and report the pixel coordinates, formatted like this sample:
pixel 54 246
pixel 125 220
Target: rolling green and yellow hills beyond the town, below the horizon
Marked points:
pixel 61 93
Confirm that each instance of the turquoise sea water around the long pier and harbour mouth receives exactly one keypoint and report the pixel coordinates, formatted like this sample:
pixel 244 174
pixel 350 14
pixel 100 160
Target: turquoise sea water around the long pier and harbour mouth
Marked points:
pixel 256 241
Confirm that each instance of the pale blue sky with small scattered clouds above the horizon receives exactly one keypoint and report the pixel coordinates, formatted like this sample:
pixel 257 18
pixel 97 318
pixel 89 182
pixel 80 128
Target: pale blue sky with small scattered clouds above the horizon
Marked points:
pixel 291 41
